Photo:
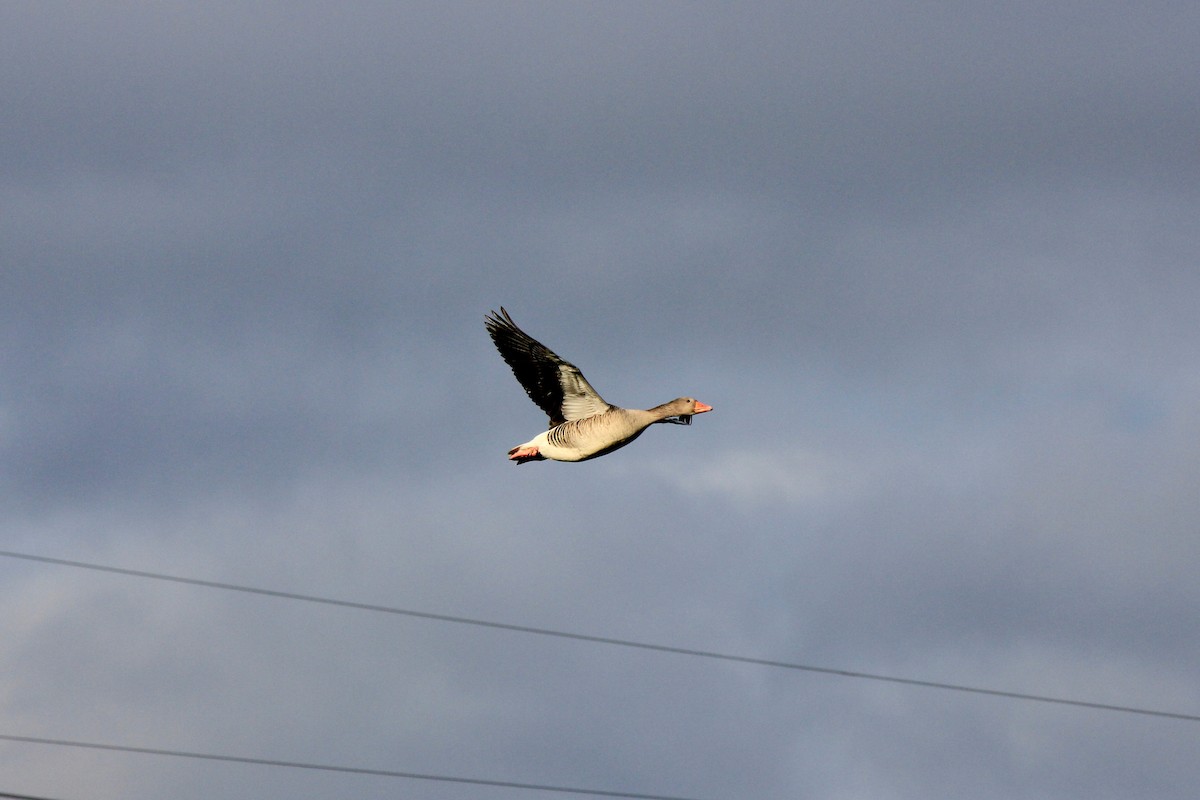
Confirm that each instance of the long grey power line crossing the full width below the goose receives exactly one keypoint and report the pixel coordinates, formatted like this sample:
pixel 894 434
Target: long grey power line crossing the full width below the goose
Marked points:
pixel 604 640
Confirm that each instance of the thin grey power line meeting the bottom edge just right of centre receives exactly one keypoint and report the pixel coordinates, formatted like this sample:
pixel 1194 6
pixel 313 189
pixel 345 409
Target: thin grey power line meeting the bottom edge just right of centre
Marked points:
pixel 334 768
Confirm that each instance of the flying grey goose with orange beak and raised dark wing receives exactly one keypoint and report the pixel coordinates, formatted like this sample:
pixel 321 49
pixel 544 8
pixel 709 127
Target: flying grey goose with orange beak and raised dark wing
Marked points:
pixel 583 426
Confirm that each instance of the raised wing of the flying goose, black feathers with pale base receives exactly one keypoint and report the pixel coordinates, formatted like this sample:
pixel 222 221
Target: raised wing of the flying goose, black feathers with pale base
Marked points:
pixel 555 384
